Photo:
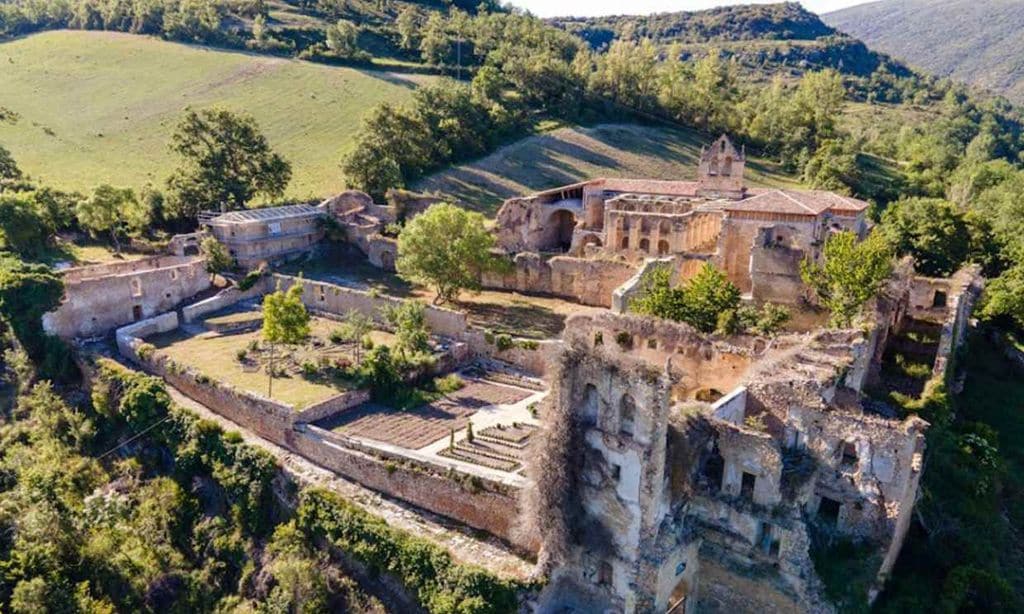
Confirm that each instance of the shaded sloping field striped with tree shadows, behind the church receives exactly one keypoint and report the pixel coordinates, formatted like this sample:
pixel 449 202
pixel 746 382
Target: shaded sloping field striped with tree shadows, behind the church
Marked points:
pixel 570 155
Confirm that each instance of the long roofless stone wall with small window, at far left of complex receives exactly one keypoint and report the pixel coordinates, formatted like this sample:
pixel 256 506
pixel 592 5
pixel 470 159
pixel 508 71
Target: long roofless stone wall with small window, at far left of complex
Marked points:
pixel 101 298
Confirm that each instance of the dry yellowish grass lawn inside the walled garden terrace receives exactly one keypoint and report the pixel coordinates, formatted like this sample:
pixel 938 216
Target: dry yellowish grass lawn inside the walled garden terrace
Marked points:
pixel 217 357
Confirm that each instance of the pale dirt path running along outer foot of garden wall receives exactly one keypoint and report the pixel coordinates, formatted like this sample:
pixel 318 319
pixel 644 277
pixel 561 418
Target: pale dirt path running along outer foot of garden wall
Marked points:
pixel 465 548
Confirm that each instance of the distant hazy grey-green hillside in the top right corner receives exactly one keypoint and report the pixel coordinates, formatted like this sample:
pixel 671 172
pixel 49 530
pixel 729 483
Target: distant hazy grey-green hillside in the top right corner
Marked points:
pixel 975 41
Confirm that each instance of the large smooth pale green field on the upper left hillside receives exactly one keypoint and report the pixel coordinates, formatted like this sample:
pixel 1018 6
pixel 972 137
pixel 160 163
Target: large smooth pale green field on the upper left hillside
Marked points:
pixel 100 107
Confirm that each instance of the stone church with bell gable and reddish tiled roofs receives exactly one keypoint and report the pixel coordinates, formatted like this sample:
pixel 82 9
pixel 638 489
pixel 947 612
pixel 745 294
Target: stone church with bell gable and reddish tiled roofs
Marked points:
pixel 757 237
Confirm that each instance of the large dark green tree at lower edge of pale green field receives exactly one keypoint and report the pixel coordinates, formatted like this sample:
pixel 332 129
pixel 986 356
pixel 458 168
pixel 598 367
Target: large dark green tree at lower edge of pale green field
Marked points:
pixel 226 163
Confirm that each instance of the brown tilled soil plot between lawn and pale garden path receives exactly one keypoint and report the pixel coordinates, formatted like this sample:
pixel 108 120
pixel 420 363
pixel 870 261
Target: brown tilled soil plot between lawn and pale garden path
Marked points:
pixel 417 428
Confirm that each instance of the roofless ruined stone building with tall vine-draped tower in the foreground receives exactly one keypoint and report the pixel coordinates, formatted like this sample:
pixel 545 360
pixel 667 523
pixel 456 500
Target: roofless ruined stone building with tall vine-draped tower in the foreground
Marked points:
pixel 687 453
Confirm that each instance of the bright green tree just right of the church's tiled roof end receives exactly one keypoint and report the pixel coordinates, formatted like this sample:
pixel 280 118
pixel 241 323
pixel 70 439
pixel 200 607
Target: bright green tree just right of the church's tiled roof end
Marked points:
pixel 852 274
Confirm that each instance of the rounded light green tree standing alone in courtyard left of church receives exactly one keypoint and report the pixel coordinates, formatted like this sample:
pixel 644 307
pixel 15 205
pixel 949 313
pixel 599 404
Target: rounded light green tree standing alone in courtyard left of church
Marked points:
pixel 447 248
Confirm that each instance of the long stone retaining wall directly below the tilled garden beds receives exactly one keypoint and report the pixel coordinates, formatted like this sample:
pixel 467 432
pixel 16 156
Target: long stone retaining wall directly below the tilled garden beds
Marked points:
pixel 480 503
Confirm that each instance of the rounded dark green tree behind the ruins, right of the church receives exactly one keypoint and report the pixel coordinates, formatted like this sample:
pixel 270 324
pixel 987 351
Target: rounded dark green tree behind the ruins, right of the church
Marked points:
pixel 930 230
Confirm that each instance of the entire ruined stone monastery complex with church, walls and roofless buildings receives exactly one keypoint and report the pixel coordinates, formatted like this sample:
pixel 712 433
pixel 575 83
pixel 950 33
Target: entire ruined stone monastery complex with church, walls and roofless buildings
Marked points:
pixel 645 466
